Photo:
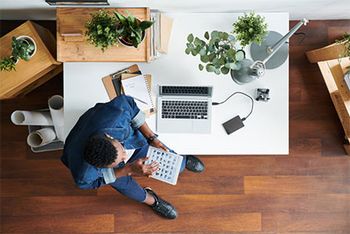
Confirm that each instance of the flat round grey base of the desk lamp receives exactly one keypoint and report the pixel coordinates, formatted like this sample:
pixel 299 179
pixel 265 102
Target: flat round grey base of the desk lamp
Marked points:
pixel 259 52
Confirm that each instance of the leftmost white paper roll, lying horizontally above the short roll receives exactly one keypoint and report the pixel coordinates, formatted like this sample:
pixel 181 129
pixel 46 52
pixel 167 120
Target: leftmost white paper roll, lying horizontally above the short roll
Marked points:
pixel 20 117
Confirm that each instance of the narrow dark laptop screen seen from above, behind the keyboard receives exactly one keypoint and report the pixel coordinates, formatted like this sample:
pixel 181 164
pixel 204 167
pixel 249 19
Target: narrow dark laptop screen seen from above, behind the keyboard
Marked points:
pixel 184 90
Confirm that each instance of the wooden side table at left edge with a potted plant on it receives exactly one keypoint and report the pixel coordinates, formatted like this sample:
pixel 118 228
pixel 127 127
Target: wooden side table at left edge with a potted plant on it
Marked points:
pixel 29 74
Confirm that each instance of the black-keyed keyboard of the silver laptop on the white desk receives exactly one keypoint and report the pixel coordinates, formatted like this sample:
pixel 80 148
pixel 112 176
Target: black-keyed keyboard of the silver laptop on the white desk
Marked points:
pixel 184 109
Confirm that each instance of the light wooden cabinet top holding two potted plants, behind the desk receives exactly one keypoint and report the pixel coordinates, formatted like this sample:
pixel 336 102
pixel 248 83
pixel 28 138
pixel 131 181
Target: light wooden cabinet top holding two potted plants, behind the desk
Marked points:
pixel 72 45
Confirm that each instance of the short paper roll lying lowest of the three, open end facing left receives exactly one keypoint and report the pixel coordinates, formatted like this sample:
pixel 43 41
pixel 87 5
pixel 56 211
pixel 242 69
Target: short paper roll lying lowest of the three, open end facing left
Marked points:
pixel 41 137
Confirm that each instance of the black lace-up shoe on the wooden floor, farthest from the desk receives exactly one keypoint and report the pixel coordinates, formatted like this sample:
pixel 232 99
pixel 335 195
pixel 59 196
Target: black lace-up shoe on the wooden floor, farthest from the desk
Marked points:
pixel 162 207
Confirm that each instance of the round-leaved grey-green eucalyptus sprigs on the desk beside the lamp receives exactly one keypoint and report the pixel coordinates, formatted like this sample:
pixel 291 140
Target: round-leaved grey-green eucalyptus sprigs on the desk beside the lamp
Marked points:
pixel 218 52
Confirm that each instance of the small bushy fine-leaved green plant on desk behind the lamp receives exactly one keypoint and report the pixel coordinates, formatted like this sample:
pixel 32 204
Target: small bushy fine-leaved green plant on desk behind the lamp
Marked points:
pixel 250 28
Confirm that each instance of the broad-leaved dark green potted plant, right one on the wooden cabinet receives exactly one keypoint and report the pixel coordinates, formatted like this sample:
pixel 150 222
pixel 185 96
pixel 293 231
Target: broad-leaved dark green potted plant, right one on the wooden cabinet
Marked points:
pixel 130 30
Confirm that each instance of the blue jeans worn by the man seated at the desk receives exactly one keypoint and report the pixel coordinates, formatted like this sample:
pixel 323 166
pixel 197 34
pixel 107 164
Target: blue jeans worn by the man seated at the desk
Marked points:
pixel 127 186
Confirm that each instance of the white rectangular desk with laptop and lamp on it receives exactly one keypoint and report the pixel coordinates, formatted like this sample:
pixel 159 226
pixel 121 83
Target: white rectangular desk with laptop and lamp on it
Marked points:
pixel 265 131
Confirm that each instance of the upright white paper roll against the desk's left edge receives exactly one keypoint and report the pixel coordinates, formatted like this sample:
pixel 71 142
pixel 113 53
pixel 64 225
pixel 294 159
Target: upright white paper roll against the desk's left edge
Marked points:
pixel 56 110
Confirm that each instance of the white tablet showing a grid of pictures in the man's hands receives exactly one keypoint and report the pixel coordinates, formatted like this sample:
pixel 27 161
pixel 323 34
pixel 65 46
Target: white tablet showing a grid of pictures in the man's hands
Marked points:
pixel 169 165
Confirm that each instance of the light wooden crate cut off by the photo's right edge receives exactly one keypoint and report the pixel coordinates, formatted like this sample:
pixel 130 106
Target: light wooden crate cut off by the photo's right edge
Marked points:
pixel 333 74
